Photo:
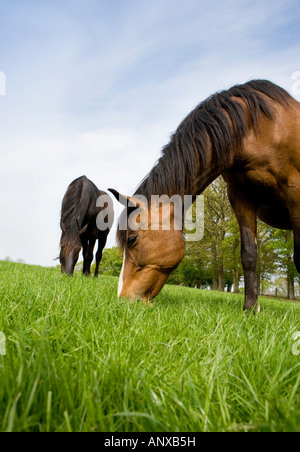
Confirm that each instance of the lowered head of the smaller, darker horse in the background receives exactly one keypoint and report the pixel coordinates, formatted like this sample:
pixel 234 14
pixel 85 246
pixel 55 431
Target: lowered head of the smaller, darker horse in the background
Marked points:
pixel 70 247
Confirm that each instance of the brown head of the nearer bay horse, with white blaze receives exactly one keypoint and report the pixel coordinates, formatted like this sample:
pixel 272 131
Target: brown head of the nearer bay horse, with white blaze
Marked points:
pixel 153 247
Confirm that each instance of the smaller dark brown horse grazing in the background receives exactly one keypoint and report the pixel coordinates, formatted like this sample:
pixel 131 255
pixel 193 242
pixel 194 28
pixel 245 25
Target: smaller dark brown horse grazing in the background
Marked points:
pixel 79 225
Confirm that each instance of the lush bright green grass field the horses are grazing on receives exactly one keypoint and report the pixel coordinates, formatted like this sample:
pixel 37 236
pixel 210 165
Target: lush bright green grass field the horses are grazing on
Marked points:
pixel 78 359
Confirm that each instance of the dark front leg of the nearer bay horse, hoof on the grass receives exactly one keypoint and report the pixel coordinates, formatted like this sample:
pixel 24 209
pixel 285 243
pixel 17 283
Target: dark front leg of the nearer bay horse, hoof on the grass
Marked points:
pixel 247 218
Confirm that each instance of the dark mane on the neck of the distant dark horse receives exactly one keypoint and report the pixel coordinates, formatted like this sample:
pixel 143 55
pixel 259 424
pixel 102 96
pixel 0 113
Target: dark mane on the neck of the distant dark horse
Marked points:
pixel 70 207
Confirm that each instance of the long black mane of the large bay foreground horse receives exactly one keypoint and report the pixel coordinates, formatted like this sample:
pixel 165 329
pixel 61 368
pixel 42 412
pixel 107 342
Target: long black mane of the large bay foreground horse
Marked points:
pixel 220 121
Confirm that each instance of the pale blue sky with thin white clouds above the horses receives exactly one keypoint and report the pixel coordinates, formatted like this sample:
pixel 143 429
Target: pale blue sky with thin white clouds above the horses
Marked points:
pixel 96 88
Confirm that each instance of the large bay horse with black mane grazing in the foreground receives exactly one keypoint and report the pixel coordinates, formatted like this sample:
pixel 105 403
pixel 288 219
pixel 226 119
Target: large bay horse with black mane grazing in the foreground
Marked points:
pixel 250 134
